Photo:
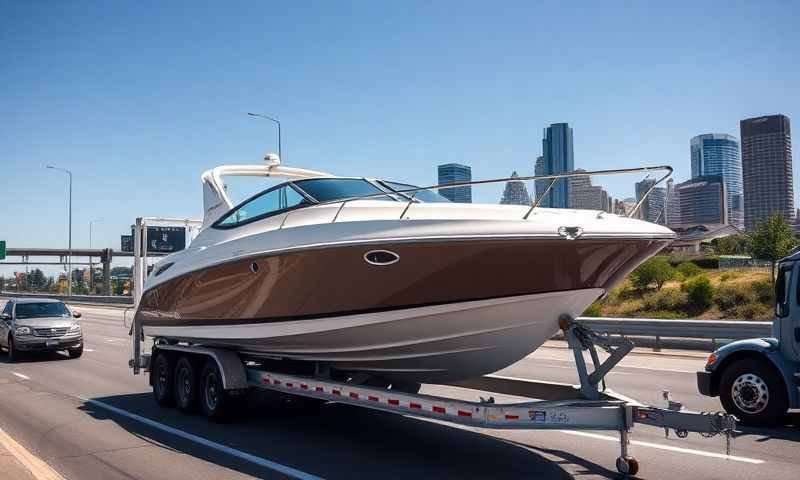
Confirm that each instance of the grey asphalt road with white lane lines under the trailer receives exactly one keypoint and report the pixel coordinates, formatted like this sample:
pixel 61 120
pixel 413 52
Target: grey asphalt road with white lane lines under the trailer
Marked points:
pixel 90 418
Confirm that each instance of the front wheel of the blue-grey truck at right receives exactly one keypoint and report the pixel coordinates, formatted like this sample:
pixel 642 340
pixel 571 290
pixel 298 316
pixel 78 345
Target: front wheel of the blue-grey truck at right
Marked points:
pixel 751 390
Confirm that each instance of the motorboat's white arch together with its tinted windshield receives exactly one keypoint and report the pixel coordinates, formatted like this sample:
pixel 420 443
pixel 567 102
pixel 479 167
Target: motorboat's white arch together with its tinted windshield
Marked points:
pixel 305 188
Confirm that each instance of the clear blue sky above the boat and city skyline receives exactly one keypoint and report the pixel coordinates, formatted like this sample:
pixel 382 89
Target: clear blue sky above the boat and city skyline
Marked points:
pixel 138 98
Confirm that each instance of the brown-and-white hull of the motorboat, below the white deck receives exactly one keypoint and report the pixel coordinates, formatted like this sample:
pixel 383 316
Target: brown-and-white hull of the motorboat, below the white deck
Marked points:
pixel 446 310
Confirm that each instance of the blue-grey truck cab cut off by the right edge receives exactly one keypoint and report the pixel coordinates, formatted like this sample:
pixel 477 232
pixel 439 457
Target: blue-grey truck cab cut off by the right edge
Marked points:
pixel 758 379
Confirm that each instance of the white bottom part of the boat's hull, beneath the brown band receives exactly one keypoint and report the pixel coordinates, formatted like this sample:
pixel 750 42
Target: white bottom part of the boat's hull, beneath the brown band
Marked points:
pixel 424 344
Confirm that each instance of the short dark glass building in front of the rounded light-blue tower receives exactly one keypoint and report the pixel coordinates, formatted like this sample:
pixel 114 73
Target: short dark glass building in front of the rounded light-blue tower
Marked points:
pixel 704 200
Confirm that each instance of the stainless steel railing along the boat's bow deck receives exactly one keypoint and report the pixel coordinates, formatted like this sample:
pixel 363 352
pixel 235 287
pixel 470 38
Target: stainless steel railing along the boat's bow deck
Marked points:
pixel 553 180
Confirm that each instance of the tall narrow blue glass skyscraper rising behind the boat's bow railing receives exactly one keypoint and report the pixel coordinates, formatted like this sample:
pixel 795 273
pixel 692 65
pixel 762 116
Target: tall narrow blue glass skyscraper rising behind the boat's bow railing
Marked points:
pixel 557 157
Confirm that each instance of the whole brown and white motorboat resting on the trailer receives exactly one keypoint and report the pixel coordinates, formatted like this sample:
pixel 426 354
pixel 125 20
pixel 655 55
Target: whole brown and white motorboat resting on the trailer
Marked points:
pixel 383 278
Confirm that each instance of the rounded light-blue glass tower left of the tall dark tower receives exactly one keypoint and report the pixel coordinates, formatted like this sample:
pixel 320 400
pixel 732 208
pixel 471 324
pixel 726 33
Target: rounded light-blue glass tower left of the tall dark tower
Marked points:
pixel 718 154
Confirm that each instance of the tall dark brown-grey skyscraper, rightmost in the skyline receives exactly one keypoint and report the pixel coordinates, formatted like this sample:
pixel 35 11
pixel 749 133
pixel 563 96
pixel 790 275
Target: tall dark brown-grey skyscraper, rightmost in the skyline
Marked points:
pixel 767 168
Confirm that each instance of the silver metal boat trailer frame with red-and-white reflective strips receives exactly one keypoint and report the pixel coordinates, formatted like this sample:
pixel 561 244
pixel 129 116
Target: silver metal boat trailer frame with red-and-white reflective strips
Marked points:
pixel 547 405
